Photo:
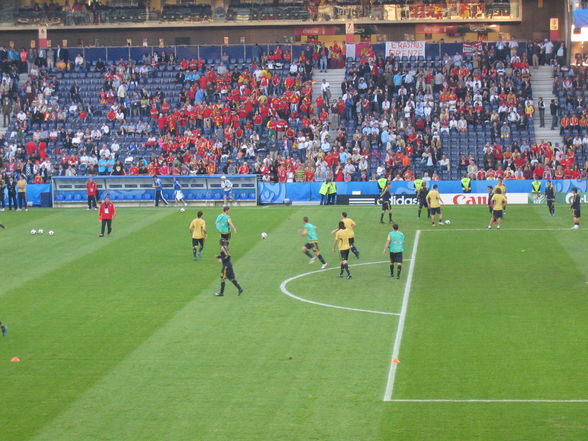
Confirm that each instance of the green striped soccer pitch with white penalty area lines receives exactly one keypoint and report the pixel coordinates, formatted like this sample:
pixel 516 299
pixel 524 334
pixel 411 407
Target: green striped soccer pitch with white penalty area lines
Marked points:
pixel 121 338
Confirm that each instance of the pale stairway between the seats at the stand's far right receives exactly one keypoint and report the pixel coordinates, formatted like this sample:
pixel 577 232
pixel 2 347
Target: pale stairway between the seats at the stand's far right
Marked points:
pixel 542 84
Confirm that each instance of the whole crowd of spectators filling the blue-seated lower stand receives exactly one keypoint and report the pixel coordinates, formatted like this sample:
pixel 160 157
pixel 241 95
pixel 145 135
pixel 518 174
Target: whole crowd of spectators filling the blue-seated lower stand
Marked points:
pixel 395 118
